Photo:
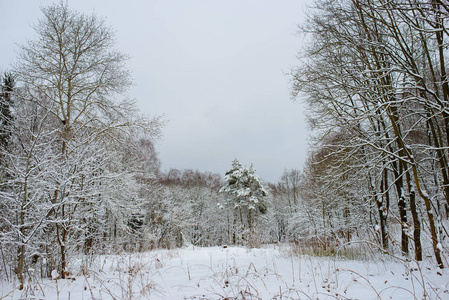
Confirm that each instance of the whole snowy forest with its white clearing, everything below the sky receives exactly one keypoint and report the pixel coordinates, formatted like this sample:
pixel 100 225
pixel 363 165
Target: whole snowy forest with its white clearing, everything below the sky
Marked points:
pixel 81 183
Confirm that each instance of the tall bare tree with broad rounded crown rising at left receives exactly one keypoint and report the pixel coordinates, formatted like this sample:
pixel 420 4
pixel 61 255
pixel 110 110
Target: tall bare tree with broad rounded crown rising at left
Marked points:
pixel 73 66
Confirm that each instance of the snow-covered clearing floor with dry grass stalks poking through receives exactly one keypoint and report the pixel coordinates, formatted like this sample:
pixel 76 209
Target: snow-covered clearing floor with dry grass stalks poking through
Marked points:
pixel 237 273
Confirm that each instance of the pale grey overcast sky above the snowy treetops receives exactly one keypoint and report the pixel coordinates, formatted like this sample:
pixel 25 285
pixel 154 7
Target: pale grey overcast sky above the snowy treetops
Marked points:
pixel 214 69
